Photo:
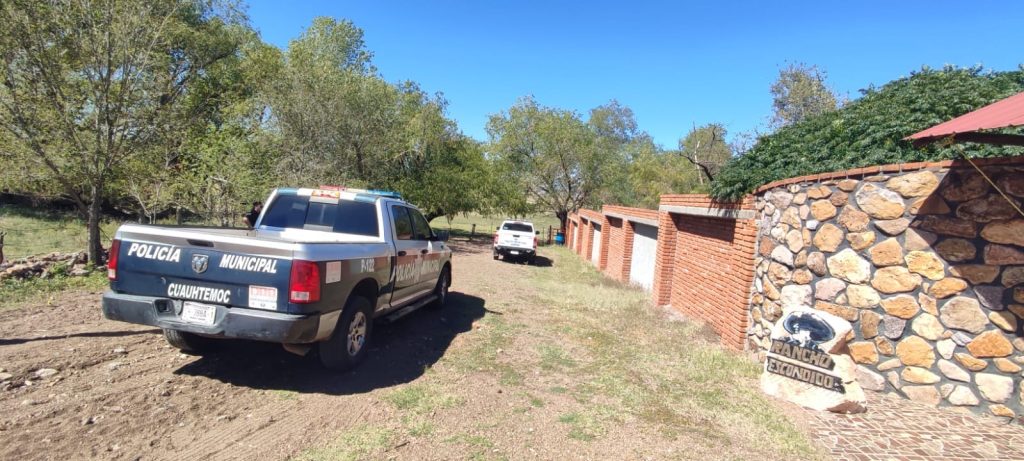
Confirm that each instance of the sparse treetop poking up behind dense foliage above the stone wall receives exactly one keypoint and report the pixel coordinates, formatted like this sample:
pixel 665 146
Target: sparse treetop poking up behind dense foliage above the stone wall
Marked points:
pixel 800 93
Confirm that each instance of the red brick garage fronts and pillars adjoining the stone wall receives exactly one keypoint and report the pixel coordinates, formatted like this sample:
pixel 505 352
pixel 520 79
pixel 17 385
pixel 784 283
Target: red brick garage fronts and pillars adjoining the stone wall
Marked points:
pixel 705 257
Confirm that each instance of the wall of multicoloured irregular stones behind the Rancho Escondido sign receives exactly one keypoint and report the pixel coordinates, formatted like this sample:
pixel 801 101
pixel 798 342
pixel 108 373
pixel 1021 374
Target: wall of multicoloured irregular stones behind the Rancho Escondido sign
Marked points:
pixel 927 261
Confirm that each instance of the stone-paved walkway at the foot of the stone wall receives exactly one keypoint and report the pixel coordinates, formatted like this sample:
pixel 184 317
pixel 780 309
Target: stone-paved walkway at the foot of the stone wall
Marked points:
pixel 897 429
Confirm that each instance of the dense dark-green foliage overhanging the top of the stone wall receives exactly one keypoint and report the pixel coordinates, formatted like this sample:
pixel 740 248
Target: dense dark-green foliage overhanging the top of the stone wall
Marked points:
pixel 871 131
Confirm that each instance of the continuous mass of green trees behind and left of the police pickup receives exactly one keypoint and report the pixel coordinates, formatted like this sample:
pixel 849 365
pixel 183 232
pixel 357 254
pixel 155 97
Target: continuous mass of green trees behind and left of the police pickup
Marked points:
pixel 230 119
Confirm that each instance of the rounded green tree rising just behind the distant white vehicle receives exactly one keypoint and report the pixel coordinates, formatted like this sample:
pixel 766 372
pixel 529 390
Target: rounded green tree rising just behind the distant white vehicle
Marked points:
pixel 550 154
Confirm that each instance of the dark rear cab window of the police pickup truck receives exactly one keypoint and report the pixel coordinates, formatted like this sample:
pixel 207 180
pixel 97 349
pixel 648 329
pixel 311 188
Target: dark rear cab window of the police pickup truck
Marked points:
pixel 345 217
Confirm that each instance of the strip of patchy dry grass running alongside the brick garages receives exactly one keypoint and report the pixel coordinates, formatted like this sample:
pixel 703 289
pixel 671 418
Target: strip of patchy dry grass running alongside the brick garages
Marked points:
pixel 634 361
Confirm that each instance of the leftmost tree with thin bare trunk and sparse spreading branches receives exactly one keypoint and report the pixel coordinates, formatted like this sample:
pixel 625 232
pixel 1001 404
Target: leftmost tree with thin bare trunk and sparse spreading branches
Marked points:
pixel 88 87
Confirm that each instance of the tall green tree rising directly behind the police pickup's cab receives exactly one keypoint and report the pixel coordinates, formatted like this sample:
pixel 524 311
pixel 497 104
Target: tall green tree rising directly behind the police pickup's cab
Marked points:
pixel 337 119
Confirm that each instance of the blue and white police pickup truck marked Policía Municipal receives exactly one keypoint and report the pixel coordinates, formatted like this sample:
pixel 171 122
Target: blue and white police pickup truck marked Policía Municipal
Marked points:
pixel 320 266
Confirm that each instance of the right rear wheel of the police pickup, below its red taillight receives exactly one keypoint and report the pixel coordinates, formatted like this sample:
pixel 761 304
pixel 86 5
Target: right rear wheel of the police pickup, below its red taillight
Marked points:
pixel 351 341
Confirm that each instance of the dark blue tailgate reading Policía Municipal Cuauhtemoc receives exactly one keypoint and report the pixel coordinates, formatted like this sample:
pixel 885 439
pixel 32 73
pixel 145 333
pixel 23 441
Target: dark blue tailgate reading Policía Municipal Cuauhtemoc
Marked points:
pixel 234 268
